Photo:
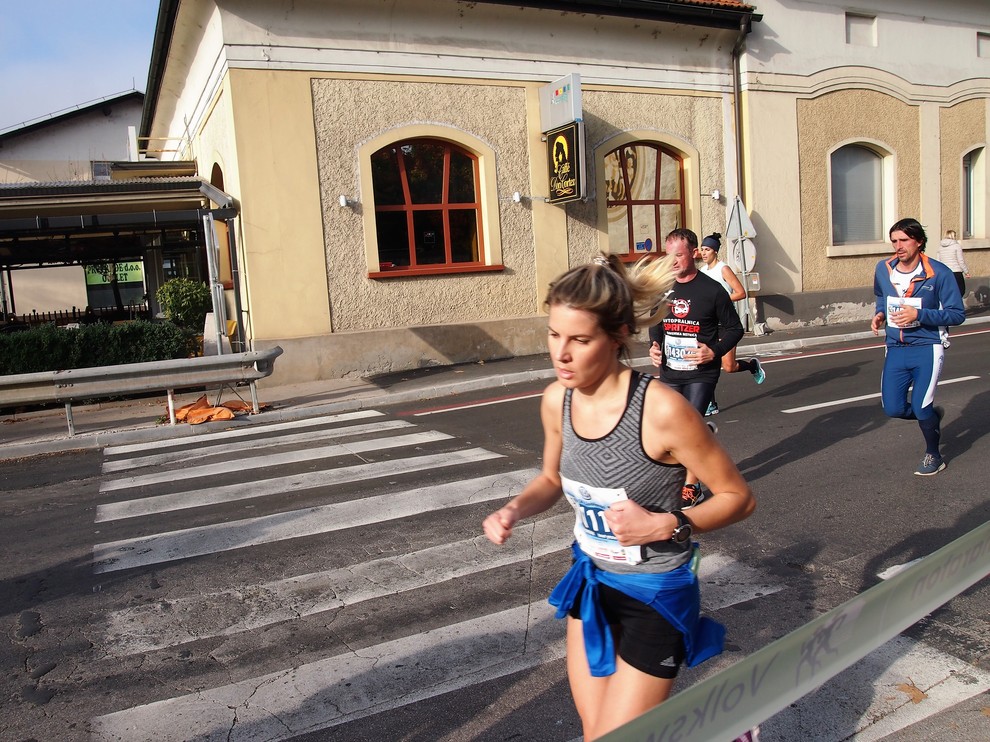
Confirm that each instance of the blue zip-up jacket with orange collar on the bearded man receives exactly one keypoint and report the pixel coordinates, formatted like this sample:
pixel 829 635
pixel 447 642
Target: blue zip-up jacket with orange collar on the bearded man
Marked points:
pixel 941 303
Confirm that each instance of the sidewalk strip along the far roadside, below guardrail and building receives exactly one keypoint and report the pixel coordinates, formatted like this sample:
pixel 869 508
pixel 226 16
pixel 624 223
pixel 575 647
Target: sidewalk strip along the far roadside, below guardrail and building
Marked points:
pixel 144 420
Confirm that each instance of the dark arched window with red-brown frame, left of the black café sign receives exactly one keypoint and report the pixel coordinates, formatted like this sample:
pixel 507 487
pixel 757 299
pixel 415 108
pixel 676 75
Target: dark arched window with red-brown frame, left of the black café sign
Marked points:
pixel 427 206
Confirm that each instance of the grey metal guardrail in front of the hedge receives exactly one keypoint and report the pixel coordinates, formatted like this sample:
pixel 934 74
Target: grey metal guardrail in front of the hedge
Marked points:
pixel 74 385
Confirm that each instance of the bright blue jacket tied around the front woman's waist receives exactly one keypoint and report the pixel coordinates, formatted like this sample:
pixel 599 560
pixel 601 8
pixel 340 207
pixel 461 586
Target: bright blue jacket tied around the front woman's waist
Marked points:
pixel 674 595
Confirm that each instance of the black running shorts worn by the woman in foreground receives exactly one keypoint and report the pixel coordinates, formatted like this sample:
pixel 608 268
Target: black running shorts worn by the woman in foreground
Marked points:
pixel 645 639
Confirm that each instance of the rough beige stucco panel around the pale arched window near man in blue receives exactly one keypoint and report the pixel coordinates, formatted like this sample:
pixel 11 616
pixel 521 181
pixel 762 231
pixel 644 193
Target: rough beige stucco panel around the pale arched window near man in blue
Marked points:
pixel 831 120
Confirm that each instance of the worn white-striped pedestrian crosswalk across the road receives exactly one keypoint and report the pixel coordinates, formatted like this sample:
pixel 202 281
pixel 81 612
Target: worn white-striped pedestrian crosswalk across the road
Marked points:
pixel 364 475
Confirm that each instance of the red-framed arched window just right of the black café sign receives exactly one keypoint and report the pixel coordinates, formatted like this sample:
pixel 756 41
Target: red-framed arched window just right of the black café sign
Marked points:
pixel 644 185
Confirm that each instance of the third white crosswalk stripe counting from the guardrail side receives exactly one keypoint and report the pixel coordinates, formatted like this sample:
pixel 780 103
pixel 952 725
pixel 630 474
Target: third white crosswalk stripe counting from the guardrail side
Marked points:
pixel 276 459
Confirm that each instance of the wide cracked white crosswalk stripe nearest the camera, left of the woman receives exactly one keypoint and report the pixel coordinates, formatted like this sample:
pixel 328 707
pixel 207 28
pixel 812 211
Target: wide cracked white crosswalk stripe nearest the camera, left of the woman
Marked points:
pixel 352 685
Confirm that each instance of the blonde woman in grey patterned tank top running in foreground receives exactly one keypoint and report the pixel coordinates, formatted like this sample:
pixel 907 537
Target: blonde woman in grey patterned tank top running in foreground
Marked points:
pixel 616 444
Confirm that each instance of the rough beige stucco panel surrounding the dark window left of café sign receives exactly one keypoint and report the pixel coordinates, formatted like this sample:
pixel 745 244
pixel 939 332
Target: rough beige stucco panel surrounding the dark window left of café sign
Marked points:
pixel 349 112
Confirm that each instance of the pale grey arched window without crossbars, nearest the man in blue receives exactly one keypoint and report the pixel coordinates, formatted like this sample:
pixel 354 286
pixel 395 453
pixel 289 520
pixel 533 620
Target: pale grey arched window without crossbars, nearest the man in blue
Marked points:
pixel 857 192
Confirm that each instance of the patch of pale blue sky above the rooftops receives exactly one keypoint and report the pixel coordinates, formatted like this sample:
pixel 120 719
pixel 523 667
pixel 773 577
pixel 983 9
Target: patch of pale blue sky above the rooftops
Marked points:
pixel 59 54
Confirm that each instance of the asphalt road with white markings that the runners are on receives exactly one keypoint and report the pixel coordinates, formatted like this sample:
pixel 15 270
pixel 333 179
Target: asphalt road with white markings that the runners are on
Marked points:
pixel 325 579
